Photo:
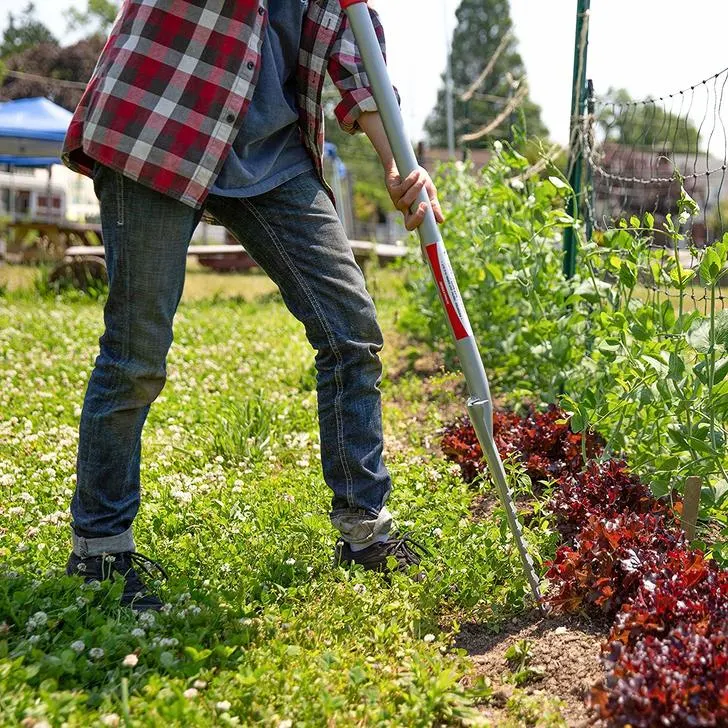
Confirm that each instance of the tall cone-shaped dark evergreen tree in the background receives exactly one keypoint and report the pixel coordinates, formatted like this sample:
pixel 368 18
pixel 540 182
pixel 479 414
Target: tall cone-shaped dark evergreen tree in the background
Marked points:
pixel 483 38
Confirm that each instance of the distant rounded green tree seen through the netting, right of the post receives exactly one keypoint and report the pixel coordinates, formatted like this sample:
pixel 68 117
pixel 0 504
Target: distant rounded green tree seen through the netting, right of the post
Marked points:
pixel 645 125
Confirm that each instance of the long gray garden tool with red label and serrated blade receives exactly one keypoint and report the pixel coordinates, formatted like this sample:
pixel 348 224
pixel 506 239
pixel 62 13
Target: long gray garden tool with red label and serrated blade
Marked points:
pixel 480 407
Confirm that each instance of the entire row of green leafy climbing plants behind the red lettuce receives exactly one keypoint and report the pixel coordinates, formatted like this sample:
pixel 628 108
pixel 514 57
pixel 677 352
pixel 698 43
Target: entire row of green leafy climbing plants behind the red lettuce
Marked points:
pixel 646 370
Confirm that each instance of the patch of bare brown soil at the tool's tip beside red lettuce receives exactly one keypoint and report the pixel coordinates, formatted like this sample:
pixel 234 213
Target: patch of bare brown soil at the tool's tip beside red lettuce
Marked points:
pixel 567 648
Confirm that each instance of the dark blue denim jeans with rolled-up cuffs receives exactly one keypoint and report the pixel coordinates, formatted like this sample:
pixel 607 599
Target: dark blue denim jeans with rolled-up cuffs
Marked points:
pixel 294 234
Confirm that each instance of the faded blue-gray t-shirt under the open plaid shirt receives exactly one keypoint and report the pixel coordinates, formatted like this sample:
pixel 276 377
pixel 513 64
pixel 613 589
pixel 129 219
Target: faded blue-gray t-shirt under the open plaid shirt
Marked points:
pixel 268 150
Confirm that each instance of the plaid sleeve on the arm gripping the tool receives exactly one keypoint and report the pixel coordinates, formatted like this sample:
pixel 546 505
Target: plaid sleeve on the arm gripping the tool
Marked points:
pixel 346 69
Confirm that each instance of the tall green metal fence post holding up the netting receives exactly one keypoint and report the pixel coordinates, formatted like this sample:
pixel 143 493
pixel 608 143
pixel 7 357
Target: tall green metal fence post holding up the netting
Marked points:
pixel 578 100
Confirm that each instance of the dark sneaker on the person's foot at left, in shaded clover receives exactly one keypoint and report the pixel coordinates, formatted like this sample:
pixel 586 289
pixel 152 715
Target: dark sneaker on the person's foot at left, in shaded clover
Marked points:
pixel 99 568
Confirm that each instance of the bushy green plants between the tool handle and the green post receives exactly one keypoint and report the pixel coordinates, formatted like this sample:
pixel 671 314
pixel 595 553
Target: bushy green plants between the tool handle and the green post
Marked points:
pixel 503 232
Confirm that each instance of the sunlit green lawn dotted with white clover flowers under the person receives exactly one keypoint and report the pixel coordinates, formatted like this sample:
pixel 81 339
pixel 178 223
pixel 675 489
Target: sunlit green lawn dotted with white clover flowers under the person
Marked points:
pixel 259 627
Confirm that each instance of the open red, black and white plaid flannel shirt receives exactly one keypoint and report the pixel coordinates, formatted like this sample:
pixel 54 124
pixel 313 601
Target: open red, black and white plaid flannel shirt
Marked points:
pixel 171 88
